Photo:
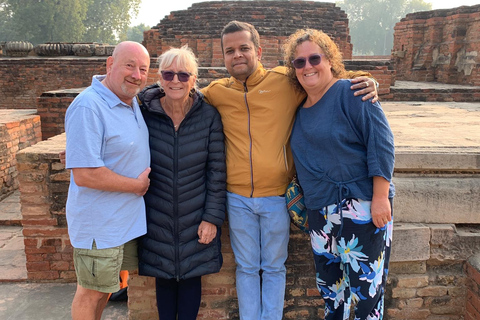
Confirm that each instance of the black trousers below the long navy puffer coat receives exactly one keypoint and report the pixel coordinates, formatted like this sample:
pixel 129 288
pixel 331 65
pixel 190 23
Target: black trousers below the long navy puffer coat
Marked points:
pixel 178 298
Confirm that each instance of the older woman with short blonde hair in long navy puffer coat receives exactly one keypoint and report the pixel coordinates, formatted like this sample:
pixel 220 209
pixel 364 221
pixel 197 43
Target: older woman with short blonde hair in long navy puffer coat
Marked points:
pixel 185 204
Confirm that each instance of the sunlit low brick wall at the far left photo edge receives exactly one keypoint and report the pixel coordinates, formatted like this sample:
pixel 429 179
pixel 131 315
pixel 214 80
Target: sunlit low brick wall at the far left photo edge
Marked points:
pixel 19 129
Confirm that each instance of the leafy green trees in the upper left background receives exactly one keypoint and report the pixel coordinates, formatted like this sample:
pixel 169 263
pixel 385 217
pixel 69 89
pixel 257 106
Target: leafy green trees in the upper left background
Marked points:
pixel 40 21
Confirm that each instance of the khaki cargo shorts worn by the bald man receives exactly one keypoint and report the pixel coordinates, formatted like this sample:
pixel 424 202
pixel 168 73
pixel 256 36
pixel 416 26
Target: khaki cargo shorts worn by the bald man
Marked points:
pixel 99 269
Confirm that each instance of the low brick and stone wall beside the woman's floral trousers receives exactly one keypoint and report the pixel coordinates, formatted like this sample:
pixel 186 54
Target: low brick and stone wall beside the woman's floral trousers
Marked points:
pixel 426 275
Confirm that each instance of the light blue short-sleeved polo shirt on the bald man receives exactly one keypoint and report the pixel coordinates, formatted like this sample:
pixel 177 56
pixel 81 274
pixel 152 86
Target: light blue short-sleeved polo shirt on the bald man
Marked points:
pixel 102 131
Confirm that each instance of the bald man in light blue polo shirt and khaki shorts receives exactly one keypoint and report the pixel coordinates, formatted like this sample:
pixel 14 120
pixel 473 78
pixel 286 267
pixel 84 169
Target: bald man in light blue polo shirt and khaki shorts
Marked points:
pixel 108 152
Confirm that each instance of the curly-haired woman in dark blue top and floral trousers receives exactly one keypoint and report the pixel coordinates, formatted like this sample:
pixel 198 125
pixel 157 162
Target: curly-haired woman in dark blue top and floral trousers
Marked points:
pixel 344 154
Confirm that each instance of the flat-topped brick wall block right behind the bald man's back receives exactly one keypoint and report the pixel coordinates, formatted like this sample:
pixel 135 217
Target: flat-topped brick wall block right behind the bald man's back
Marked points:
pixel 44 186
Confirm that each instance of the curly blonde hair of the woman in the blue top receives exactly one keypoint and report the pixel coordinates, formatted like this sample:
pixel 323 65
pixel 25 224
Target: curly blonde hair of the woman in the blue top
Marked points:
pixel 329 48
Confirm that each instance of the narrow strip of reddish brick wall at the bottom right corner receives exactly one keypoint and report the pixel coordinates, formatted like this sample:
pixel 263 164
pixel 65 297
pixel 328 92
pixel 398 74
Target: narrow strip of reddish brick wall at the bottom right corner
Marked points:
pixel 473 294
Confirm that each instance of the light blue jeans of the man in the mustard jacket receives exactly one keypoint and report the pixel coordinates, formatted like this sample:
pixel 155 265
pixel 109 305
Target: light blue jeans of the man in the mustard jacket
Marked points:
pixel 259 233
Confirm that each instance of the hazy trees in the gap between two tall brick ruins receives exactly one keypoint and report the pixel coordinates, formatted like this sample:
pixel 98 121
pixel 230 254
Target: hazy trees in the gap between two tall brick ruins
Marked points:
pixel 371 22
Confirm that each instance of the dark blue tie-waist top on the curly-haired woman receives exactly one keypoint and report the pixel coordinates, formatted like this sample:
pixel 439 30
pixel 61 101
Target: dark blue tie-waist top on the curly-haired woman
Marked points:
pixel 339 144
